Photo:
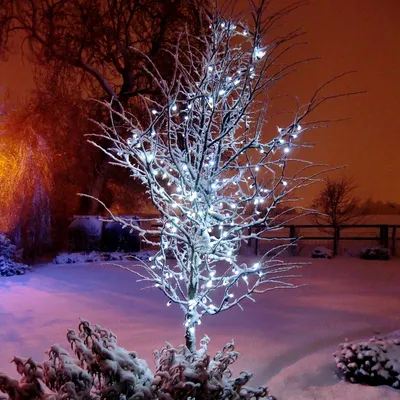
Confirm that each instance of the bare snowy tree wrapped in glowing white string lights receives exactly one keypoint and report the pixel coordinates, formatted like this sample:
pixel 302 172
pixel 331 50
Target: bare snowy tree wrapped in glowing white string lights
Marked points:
pixel 203 156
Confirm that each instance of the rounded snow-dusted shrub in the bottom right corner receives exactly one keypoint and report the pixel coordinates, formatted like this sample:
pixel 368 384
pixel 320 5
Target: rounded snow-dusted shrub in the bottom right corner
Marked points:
pixel 375 362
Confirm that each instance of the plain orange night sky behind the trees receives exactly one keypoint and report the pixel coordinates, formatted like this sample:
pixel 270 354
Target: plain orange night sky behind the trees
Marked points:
pixel 362 35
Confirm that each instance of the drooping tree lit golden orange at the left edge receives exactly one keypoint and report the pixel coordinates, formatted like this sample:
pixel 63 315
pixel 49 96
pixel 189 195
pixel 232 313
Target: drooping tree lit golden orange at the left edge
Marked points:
pixel 26 184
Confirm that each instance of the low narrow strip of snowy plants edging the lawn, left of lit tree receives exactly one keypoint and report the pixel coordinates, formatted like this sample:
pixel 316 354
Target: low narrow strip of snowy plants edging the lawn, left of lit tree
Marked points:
pixel 95 256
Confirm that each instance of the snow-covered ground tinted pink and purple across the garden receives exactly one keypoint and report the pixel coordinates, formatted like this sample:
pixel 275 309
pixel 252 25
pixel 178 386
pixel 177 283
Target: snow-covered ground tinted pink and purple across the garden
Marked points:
pixel 286 339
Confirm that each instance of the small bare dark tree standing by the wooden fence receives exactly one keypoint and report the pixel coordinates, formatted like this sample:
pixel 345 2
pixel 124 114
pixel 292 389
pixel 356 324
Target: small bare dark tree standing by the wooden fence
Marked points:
pixel 337 206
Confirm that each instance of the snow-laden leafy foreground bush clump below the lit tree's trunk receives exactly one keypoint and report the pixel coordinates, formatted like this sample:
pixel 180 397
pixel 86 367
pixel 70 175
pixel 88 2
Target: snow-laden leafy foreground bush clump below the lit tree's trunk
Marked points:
pixel 104 370
